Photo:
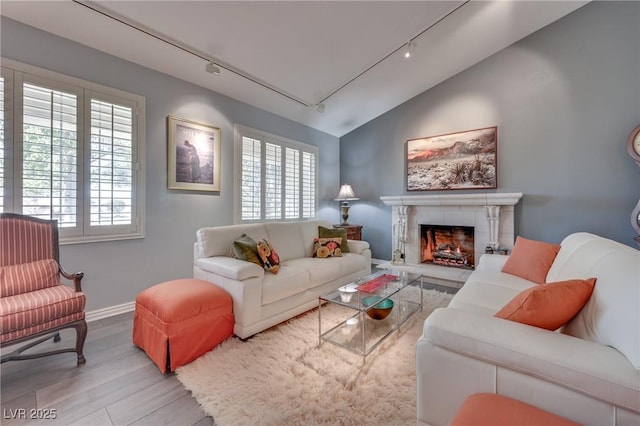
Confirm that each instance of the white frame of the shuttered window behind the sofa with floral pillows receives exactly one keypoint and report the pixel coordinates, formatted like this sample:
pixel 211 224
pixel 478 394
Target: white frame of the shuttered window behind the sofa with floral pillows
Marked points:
pixel 241 131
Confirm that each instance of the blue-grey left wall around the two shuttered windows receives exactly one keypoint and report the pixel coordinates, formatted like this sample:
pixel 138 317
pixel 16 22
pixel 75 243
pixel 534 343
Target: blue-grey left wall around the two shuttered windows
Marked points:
pixel 115 272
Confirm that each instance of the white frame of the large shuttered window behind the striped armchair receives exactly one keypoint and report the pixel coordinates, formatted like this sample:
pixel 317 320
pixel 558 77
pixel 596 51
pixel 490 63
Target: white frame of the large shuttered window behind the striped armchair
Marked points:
pixel 17 74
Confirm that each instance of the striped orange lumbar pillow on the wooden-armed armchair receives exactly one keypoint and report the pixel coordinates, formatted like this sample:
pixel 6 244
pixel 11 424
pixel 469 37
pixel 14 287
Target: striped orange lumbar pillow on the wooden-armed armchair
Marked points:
pixel 26 277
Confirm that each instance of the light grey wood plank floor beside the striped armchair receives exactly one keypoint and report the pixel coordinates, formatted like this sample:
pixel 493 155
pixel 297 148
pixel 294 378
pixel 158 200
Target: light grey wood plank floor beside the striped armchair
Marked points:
pixel 119 385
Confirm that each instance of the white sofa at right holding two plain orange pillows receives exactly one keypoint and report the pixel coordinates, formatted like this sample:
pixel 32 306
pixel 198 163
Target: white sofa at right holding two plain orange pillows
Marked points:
pixel 588 371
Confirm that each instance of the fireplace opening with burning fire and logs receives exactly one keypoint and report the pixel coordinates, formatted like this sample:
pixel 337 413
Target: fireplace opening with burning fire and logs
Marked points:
pixel 447 245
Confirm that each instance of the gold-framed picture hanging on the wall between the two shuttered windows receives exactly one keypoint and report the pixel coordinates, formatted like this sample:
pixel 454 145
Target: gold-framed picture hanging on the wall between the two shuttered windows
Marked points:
pixel 193 154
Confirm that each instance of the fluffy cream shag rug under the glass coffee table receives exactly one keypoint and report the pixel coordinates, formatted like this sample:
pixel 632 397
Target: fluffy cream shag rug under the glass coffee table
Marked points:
pixel 282 377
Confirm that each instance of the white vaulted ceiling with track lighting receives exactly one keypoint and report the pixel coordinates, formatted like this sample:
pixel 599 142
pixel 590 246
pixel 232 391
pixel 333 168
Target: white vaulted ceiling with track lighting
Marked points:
pixel 331 65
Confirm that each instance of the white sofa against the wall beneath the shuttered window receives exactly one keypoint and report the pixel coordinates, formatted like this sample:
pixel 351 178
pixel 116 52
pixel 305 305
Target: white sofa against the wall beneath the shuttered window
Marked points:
pixel 262 299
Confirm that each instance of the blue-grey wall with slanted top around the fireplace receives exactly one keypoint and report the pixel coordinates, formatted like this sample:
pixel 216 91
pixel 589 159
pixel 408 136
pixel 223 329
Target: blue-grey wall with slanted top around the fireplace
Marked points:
pixel 564 100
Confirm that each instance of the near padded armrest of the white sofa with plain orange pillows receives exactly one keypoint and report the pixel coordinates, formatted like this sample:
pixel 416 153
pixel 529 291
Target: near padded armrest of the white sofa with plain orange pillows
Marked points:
pixel 584 366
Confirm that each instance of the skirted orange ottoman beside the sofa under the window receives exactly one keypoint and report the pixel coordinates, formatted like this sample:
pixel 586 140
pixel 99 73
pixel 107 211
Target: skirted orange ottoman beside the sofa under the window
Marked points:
pixel 177 321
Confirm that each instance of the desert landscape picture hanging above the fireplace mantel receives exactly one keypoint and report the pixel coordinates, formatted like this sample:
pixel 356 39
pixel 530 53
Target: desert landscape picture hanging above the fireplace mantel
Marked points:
pixel 461 160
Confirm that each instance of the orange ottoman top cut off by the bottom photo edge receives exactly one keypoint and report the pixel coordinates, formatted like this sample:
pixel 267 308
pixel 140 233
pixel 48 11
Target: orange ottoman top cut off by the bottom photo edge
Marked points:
pixel 489 409
